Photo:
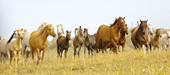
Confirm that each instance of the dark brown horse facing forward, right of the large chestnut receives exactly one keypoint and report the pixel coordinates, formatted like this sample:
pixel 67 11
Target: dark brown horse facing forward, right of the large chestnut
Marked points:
pixel 139 35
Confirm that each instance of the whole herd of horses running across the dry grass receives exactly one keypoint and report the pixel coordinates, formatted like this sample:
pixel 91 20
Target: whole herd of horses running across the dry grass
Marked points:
pixel 27 42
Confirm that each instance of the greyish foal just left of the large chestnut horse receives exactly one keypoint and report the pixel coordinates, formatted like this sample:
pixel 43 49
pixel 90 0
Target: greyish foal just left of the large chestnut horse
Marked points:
pixel 89 41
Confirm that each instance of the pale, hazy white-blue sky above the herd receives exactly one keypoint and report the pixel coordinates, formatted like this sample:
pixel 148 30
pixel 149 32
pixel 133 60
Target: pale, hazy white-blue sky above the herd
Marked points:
pixel 91 14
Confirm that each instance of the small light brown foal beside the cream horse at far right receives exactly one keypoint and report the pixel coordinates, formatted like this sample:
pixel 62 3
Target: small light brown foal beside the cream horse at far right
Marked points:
pixel 155 41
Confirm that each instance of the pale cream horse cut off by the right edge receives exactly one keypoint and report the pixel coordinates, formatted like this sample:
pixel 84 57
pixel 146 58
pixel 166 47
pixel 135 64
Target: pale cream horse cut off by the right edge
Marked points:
pixel 164 40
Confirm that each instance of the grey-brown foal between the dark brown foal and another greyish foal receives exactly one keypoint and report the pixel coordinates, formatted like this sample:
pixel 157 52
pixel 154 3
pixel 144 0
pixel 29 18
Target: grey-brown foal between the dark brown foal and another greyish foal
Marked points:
pixel 78 41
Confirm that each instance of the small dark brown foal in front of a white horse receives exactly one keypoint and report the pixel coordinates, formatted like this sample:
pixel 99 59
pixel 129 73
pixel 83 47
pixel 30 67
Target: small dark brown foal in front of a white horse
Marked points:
pixel 63 44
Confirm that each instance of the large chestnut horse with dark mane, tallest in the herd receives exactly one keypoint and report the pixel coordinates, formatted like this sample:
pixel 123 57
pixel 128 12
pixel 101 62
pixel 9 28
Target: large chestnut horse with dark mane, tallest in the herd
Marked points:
pixel 110 34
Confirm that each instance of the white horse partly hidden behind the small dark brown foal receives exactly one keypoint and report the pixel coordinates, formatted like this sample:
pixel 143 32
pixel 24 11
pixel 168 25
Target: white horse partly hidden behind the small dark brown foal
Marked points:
pixel 60 32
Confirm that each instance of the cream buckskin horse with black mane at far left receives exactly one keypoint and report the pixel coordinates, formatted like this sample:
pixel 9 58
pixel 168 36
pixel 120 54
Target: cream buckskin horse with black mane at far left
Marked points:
pixel 14 46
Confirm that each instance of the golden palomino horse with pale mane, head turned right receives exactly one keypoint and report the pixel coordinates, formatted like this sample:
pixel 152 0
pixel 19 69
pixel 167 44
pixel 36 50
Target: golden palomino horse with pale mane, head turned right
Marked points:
pixel 38 40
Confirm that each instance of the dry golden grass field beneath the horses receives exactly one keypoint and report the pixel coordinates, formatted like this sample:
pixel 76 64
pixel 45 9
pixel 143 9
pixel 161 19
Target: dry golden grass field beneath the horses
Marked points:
pixel 125 63
